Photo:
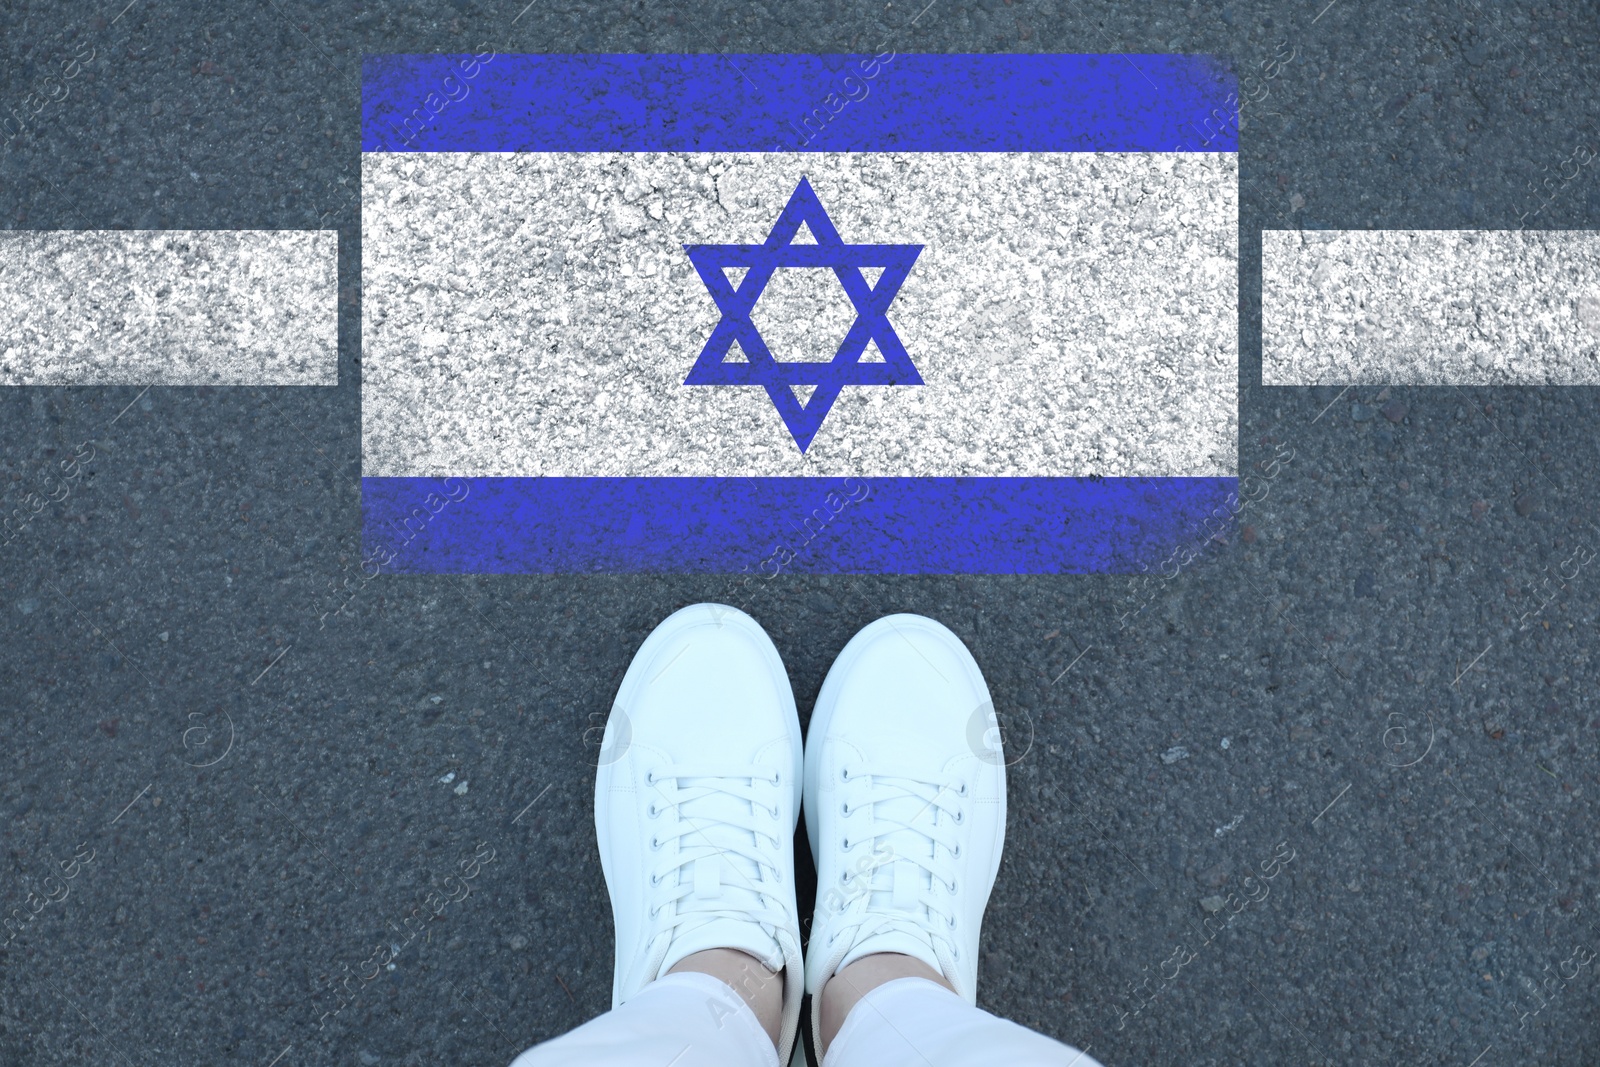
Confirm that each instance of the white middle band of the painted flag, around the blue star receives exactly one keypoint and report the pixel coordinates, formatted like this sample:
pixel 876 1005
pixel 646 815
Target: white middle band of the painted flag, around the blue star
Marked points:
pixel 535 314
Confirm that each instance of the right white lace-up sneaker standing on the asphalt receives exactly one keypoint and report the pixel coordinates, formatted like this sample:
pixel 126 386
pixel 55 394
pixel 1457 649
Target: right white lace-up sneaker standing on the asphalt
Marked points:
pixel 905 804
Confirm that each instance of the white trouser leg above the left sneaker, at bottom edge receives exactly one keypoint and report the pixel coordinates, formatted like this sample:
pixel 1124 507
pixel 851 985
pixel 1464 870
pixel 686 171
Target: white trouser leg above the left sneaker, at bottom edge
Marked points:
pixel 684 1020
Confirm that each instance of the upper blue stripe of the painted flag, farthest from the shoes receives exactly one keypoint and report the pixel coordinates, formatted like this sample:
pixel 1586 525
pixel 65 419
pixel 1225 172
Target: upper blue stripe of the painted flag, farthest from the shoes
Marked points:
pixel 769 103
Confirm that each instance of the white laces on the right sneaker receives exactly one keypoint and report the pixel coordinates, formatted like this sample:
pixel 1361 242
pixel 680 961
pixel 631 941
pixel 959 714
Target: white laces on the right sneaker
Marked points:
pixel 911 892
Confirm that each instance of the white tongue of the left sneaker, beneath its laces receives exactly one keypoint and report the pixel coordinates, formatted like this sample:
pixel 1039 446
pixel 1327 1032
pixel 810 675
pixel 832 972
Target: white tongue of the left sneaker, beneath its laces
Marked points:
pixel 722 882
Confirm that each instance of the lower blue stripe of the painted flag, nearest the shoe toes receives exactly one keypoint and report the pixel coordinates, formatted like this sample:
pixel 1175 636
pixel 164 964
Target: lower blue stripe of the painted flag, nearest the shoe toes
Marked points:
pixel 774 526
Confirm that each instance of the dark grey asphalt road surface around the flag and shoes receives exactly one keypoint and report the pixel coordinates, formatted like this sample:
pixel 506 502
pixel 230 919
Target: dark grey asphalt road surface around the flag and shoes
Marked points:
pixel 204 695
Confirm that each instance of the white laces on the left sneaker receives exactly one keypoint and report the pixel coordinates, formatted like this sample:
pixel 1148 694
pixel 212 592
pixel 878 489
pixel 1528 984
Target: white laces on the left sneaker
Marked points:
pixel 714 837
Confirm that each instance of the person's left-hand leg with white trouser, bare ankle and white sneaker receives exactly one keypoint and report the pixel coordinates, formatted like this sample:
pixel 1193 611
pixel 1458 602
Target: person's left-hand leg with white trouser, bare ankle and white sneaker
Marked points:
pixel 697 801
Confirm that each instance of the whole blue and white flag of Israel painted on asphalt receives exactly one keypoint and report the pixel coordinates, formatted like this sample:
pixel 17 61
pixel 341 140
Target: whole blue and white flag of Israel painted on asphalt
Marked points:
pixel 898 314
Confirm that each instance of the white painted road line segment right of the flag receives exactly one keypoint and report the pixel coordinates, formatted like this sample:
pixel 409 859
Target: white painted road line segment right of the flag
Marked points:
pixel 1431 308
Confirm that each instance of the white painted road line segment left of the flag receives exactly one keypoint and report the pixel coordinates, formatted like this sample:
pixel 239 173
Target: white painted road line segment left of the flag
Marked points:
pixel 169 308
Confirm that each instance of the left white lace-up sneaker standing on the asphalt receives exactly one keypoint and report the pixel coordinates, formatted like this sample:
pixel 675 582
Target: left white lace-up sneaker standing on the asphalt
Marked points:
pixel 697 804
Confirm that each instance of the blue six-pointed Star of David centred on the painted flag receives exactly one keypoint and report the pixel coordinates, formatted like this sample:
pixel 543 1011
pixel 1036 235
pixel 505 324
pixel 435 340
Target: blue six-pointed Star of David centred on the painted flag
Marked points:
pixel 762 262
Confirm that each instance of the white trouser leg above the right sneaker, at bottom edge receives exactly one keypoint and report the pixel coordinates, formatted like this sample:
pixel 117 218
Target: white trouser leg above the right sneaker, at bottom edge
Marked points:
pixel 916 1023
